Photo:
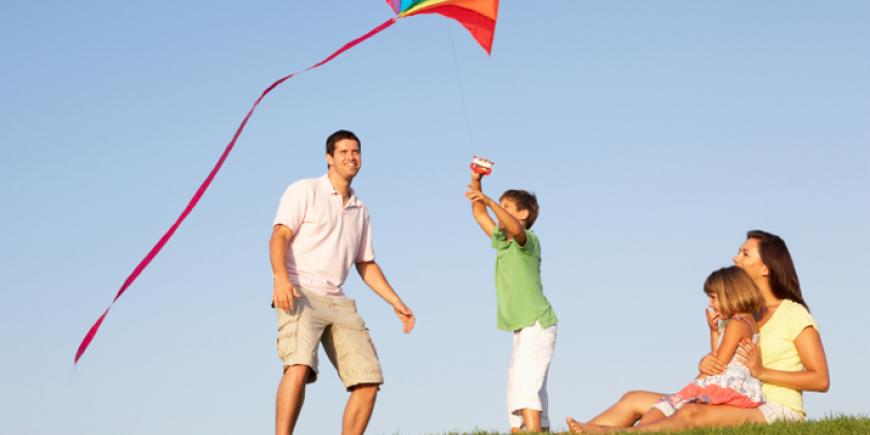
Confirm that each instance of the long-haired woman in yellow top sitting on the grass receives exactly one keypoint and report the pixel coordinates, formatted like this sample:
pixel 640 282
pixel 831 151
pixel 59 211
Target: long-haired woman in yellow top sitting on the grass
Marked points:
pixel 791 358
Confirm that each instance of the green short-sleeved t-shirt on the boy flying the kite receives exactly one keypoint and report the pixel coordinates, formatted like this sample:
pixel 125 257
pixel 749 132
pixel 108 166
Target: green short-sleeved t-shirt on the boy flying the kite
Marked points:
pixel 518 289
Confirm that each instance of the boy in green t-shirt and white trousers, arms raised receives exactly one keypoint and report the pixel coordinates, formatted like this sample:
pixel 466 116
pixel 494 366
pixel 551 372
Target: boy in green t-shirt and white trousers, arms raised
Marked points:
pixel 522 307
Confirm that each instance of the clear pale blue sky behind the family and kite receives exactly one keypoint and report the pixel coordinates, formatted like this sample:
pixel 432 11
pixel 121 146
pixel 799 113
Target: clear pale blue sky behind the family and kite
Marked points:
pixel 654 133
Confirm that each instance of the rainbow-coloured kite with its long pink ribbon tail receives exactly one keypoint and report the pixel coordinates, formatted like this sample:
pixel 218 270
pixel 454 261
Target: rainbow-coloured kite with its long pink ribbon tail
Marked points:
pixel 478 16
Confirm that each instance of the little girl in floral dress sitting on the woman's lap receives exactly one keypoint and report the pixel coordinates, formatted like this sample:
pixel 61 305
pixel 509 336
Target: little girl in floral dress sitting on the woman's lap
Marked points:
pixel 735 301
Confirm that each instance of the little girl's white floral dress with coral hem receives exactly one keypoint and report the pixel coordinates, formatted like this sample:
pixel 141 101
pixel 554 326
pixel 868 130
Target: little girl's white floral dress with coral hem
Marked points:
pixel 735 387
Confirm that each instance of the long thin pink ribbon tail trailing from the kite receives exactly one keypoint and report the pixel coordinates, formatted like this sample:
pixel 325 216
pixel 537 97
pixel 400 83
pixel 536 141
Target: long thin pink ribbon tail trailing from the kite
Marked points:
pixel 205 184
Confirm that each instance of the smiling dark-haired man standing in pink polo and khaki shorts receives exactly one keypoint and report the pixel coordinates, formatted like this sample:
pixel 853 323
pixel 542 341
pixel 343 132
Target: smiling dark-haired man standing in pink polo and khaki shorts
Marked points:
pixel 321 229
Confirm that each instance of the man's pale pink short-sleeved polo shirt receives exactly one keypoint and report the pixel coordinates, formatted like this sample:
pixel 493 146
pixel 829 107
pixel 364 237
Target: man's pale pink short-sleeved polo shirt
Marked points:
pixel 328 236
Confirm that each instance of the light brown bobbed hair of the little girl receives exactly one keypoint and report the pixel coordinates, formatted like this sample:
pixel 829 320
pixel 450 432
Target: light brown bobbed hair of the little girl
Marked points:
pixel 735 290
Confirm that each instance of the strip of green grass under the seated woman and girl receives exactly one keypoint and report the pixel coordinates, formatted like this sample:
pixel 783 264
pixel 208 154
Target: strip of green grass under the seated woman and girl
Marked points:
pixel 842 425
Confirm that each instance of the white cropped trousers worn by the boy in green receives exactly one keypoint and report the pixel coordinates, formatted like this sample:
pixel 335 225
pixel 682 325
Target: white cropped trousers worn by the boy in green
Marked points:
pixel 527 377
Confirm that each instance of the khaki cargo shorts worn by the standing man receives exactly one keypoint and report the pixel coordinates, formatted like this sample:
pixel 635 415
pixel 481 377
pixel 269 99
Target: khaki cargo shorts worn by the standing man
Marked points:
pixel 335 323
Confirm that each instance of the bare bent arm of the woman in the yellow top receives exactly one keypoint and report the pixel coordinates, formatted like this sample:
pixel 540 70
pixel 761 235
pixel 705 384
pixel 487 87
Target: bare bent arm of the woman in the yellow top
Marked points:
pixel 815 375
